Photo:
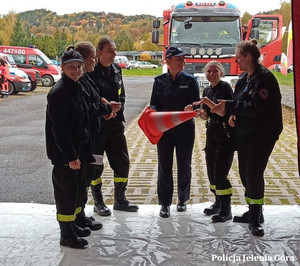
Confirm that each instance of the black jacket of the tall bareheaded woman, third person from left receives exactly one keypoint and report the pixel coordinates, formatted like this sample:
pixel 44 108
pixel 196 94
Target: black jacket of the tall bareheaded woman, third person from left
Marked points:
pixel 110 84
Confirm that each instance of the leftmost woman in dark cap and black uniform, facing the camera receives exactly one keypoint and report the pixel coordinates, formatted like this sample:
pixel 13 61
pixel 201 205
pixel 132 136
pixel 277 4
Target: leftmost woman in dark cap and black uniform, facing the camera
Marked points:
pixel 67 135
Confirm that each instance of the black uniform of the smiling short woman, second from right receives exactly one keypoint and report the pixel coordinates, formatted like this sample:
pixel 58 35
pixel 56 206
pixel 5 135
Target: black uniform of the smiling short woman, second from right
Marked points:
pixel 219 148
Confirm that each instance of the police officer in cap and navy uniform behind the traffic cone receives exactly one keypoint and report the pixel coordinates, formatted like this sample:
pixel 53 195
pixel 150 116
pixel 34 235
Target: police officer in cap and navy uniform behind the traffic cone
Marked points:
pixel 174 91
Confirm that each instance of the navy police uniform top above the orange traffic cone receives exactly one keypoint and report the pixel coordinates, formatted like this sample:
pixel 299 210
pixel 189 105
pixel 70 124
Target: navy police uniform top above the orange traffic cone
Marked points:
pixel 168 95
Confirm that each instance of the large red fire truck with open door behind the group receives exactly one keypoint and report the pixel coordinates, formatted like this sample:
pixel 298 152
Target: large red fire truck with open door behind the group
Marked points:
pixel 211 31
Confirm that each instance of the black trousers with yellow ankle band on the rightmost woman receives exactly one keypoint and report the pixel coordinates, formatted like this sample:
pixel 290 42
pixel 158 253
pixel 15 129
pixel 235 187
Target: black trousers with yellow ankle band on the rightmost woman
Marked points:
pixel 253 157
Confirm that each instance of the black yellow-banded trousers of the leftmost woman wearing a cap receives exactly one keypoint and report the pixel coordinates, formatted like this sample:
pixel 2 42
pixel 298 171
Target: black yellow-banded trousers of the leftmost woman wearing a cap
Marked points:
pixel 69 191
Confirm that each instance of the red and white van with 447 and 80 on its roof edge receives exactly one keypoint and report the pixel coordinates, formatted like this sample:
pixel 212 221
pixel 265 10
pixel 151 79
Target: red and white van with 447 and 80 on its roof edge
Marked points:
pixel 31 57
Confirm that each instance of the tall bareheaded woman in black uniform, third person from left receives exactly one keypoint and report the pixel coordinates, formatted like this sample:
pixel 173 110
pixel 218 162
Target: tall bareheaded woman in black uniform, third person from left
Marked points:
pixel 108 78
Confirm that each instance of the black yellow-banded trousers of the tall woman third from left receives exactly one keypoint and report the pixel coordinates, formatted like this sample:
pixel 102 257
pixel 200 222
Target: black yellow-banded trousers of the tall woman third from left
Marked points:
pixel 112 141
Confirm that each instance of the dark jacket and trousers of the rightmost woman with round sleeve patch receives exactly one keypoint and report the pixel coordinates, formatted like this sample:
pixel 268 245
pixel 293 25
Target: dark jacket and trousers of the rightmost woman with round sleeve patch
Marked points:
pixel 257 106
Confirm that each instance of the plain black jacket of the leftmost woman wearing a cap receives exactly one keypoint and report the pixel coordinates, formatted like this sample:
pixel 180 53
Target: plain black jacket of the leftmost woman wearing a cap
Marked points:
pixel 67 125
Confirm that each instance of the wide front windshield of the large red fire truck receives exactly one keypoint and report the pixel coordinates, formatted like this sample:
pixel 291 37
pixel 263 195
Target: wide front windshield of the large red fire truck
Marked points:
pixel 205 30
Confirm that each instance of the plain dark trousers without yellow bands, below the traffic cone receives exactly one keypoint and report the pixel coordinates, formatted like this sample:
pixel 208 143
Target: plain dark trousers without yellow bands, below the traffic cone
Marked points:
pixel 182 139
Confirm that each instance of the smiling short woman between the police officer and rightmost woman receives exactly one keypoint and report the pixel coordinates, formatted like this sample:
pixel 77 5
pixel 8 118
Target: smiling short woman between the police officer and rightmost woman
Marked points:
pixel 219 148
